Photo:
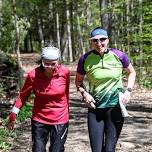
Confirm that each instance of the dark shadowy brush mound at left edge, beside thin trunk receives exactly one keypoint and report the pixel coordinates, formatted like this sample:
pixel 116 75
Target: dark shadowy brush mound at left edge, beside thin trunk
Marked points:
pixel 8 74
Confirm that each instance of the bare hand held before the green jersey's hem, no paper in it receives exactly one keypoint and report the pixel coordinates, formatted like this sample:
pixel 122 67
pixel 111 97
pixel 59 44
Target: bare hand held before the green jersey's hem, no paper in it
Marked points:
pixel 89 100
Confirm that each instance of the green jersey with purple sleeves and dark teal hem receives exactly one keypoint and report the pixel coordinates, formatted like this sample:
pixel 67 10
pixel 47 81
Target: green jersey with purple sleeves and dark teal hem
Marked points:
pixel 104 74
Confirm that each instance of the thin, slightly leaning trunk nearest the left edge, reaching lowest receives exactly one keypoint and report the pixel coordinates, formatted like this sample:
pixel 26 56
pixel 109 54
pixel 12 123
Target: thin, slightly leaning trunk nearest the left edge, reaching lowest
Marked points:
pixel 17 44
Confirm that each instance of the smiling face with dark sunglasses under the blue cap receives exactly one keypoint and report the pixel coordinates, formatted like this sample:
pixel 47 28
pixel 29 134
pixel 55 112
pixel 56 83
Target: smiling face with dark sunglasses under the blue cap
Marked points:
pixel 100 45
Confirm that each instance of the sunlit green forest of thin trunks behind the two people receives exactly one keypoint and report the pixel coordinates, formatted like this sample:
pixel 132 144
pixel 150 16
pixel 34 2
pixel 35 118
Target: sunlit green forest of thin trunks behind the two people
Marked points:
pixel 27 25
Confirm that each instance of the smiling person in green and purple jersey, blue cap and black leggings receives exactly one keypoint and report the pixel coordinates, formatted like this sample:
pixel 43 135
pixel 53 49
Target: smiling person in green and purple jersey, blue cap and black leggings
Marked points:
pixel 103 68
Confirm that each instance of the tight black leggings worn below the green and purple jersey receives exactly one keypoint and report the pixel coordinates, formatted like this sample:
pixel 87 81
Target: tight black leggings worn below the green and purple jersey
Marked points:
pixel 104 126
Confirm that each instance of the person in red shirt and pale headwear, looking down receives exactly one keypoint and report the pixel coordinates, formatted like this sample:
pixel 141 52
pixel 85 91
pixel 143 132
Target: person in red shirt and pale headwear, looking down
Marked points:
pixel 50 115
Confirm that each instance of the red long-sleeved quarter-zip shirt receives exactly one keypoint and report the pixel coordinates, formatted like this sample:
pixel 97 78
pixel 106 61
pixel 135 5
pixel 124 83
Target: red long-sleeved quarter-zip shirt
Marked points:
pixel 51 103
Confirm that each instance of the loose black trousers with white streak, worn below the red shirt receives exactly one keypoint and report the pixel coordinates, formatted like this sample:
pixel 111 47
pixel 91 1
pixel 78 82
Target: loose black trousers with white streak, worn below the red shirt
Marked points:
pixel 41 132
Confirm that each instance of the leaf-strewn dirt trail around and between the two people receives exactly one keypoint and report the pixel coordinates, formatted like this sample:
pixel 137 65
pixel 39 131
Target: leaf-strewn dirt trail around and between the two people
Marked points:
pixel 136 135
